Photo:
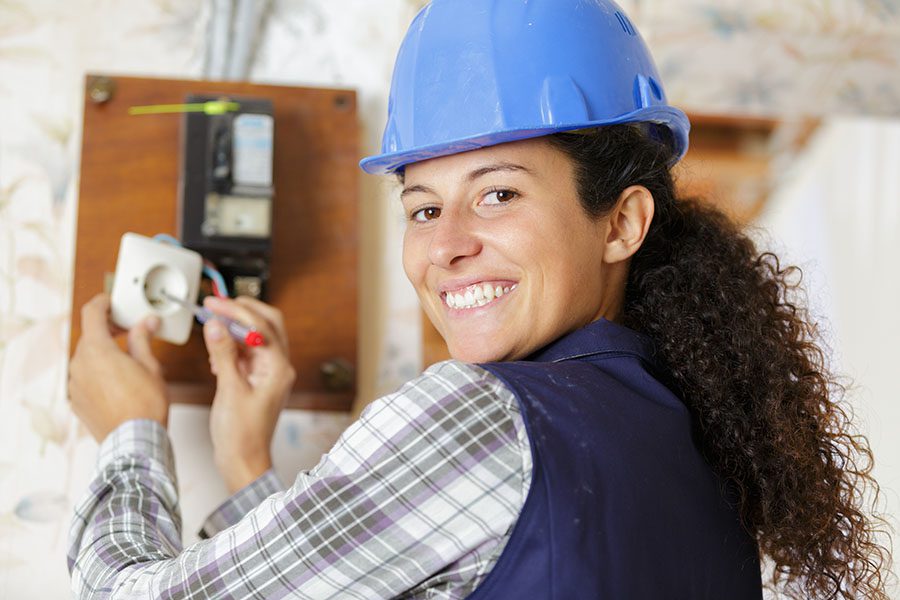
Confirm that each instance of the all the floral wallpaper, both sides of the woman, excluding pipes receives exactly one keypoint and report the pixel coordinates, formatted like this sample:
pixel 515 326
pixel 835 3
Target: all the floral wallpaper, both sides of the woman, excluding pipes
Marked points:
pixel 767 57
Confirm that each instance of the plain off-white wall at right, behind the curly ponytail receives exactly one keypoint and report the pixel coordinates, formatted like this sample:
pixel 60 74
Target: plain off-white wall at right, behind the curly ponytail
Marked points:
pixel 837 216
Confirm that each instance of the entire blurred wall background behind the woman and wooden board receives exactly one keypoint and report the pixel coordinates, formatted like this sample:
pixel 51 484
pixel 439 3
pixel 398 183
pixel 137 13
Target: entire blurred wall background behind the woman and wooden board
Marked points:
pixel 796 111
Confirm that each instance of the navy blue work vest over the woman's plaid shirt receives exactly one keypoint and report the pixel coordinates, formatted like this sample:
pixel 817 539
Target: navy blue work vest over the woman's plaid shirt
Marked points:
pixel 622 505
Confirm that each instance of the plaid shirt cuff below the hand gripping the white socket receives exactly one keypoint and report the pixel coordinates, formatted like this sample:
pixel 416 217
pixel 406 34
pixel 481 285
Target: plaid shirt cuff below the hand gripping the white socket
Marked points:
pixel 143 437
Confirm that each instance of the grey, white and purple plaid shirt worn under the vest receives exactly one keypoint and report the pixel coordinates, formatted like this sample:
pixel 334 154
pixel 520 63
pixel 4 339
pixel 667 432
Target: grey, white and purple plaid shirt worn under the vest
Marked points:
pixel 416 500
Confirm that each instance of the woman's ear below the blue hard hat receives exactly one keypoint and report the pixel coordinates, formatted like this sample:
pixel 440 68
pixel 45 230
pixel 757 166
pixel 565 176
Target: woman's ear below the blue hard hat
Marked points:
pixel 629 222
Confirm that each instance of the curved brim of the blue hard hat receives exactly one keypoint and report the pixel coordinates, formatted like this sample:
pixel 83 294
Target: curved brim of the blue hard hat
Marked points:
pixel 669 116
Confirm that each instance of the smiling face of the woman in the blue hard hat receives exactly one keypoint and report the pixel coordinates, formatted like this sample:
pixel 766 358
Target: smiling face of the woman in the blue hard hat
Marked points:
pixel 499 250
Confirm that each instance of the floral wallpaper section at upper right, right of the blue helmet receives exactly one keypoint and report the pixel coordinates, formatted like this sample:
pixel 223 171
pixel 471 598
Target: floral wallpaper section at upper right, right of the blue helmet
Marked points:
pixel 821 57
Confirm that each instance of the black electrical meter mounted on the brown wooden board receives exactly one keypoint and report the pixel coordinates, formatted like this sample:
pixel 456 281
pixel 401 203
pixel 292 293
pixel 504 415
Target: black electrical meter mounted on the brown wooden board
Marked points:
pixel 226 187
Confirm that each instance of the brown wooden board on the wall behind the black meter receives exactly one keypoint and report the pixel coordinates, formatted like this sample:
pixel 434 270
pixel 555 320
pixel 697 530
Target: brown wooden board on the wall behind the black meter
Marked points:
pixel 129 182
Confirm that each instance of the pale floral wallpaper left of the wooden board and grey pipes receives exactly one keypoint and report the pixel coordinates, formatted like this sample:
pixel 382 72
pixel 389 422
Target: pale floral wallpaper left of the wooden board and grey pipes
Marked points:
pixel 45 47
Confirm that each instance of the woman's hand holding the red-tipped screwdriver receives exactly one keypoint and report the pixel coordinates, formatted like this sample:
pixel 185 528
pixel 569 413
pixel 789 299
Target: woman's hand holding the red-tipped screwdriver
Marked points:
pixel 252 388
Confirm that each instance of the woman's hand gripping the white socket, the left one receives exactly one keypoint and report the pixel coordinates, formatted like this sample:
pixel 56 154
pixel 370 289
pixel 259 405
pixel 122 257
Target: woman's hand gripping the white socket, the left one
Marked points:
pixel 108 386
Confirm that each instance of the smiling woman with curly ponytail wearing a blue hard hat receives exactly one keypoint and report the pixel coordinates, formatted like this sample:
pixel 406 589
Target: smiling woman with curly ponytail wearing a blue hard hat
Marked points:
pixel 635 409
